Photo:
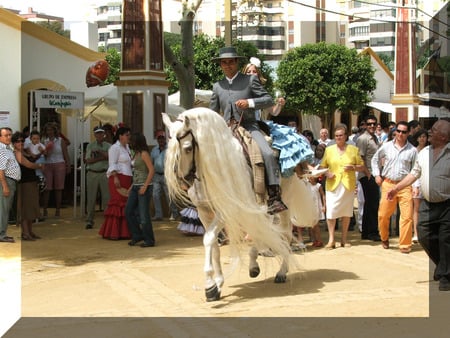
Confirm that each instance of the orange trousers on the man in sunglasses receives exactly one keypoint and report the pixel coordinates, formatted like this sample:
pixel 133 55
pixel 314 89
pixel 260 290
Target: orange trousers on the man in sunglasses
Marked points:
pixel 386 208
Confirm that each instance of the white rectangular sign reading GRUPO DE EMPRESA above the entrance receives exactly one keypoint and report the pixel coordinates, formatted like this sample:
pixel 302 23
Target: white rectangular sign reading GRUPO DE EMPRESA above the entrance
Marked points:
pixel 66 100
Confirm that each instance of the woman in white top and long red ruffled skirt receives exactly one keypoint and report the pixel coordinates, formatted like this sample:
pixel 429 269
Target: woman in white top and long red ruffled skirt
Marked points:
pixel 119 181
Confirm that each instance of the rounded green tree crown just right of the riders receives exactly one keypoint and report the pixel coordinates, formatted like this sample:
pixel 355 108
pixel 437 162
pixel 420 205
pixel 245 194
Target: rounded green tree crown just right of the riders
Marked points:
pixel 322 78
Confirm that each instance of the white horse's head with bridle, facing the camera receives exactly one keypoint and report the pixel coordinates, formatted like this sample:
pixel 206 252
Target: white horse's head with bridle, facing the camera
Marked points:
pixel 180 131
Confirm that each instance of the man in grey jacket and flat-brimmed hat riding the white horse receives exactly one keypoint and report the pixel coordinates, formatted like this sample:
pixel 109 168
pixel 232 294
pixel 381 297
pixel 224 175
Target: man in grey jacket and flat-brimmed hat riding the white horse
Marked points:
pixel 237 96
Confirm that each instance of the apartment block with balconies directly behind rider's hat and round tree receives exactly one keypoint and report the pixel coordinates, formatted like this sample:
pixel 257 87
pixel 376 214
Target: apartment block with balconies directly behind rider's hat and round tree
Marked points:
pixel 275 26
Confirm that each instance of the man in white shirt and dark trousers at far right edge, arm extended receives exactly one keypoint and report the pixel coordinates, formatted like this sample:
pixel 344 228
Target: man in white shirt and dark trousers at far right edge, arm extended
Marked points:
pixel 432 167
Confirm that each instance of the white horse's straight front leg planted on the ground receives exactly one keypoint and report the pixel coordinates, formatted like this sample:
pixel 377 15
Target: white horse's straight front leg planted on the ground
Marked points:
pixel 212 268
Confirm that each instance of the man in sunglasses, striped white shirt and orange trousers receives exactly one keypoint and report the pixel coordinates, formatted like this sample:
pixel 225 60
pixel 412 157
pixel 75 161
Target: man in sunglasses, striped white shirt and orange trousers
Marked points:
pixel 396 158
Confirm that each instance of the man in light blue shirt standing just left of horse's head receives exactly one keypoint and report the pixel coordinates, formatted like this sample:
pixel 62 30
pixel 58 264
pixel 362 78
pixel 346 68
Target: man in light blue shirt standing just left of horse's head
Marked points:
pixel 158 155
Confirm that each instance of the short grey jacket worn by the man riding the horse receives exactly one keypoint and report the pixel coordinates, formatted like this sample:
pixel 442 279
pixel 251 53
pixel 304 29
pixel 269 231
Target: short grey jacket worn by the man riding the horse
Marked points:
pixel 225 95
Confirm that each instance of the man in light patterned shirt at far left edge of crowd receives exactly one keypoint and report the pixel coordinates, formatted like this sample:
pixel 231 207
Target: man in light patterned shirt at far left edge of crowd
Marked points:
pixel 9 176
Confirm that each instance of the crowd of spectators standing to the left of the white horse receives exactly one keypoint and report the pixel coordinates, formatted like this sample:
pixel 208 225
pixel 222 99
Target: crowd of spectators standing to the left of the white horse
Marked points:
pixel 120 174
